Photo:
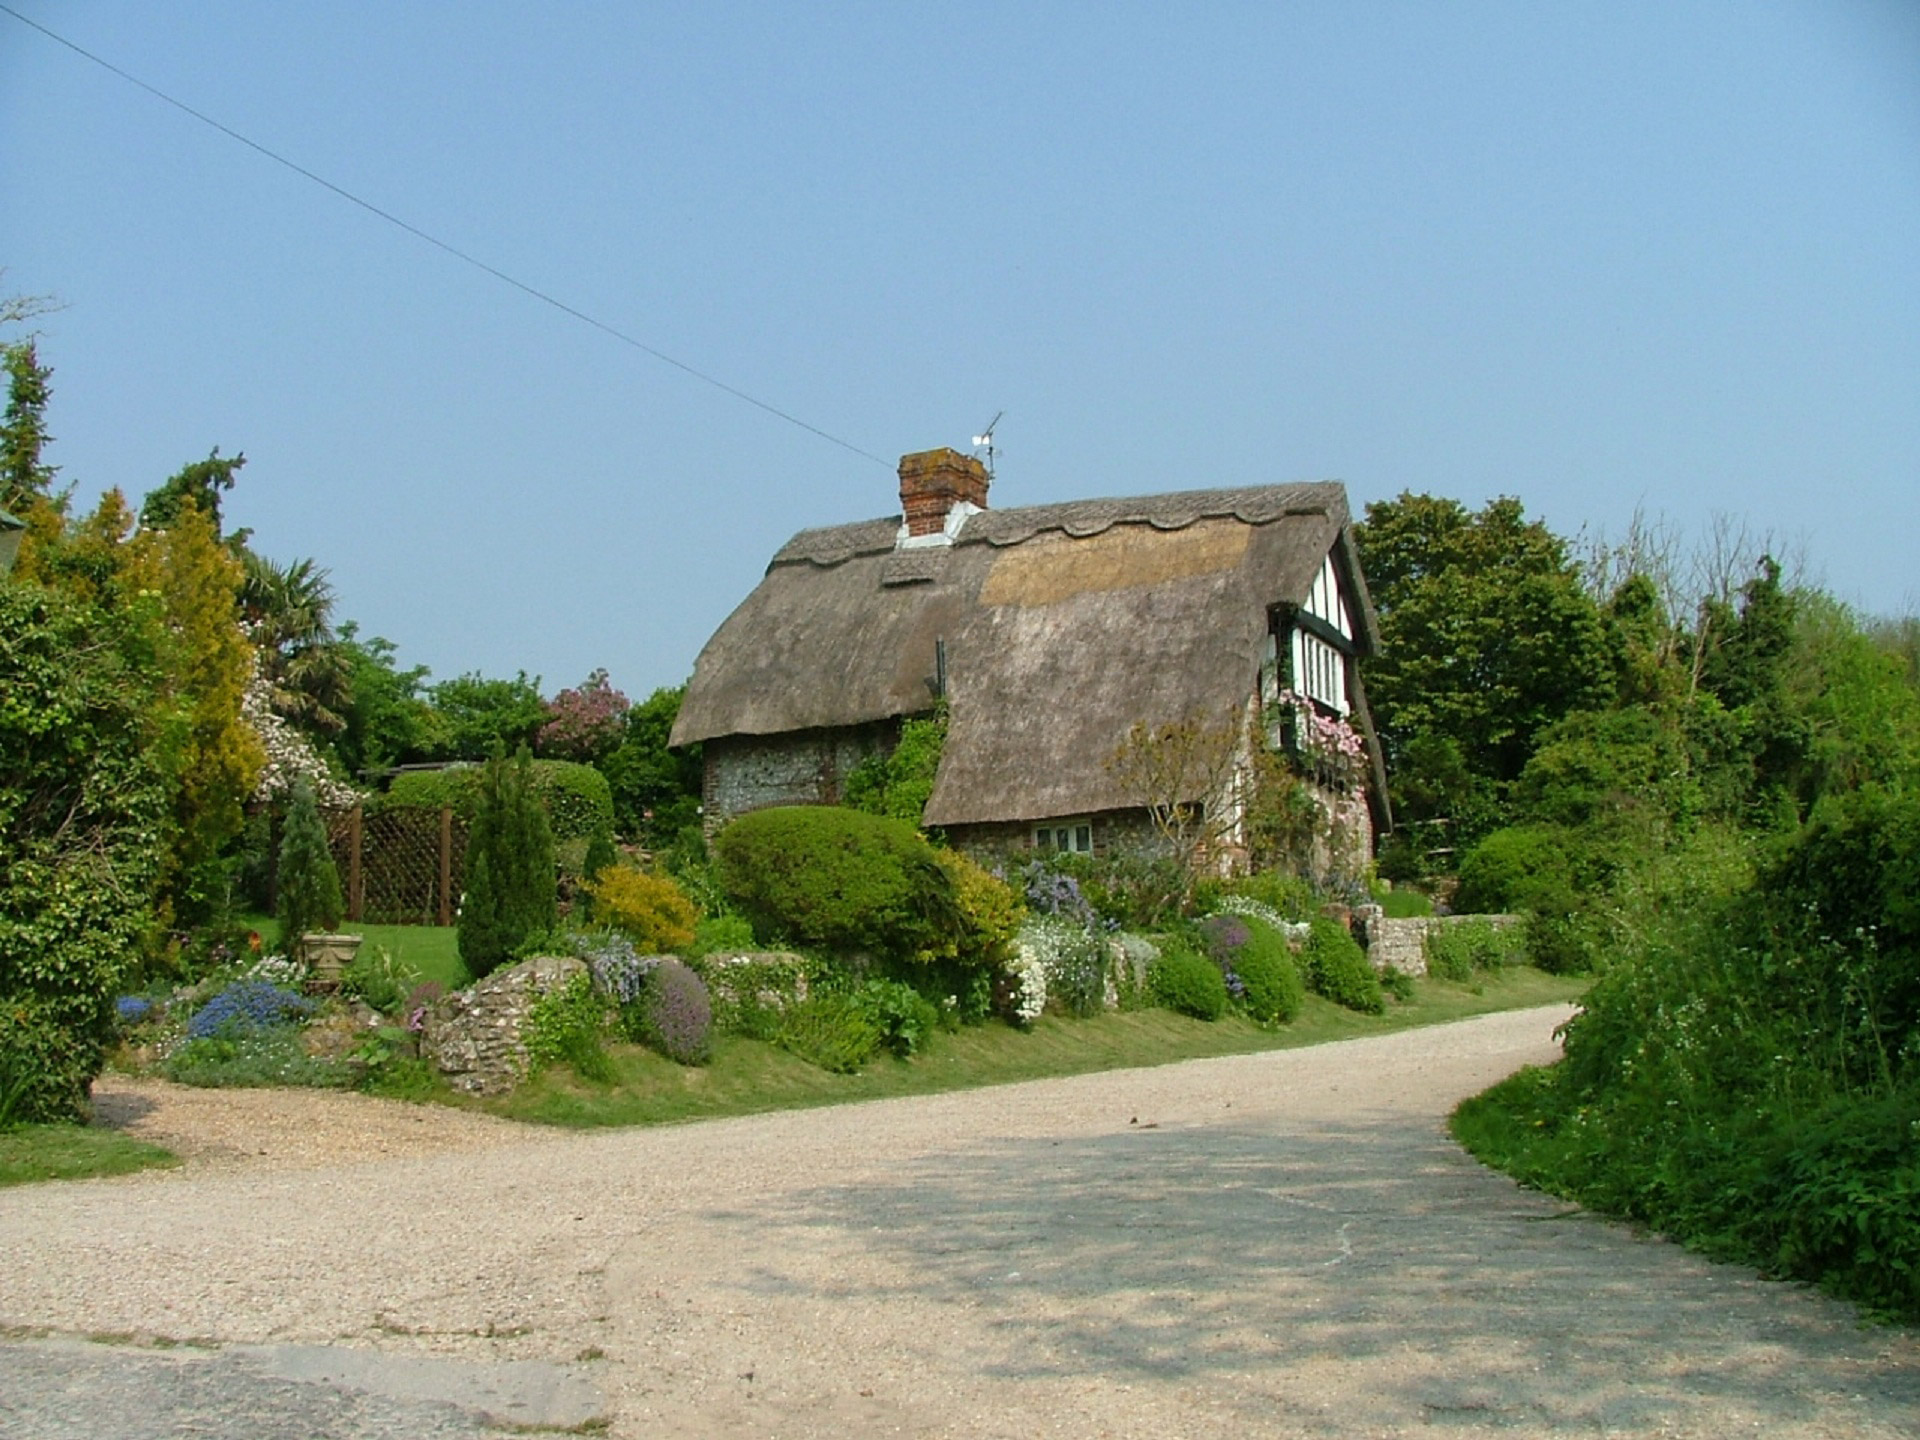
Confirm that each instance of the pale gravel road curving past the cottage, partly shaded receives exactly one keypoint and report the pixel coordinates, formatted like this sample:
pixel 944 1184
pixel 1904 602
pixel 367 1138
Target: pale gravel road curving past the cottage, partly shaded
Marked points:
pixel 1260 1245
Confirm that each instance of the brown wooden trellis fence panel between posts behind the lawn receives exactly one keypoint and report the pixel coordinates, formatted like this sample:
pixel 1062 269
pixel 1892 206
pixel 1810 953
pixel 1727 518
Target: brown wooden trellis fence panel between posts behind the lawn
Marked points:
pixel 398 867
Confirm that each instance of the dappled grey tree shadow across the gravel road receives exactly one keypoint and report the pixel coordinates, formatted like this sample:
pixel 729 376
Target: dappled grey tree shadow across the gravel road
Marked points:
pixel 1191 1255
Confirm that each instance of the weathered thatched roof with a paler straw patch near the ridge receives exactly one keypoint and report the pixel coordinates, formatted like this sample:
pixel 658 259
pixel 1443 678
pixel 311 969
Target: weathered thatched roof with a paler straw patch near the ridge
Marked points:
pixel 1063 627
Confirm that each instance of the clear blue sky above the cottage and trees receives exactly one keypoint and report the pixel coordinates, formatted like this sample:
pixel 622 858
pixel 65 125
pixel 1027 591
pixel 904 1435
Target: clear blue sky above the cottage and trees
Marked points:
pixel 1596 256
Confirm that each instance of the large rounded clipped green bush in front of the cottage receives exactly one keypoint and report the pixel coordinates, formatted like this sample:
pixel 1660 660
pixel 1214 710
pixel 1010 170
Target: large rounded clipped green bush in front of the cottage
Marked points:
pixel 840 880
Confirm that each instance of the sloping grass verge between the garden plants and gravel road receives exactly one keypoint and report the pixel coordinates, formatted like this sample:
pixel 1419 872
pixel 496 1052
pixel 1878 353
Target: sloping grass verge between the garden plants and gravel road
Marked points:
pixel 752 1076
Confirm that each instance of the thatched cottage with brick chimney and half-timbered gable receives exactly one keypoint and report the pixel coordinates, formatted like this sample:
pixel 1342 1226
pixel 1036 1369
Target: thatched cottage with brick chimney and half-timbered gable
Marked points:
pixel 1051 631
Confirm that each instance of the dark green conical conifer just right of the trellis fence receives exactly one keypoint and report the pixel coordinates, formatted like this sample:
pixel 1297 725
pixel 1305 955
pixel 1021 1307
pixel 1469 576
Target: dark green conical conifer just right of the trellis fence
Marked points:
pixel 510 869
